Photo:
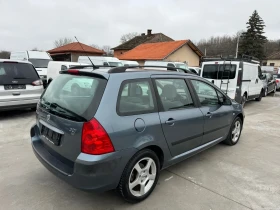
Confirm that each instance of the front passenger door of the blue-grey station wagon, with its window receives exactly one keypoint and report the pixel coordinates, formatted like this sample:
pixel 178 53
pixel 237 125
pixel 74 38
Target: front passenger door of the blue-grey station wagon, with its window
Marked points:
pixel 217 114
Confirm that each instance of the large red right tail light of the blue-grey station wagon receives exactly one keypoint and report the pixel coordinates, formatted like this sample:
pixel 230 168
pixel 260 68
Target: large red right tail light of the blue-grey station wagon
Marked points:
pixel 95 140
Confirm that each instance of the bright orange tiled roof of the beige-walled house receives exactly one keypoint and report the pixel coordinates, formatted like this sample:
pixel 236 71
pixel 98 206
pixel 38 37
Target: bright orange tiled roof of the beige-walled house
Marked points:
pixel 157 51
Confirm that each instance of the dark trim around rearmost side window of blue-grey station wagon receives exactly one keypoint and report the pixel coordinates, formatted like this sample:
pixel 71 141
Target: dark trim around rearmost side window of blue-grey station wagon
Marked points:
pixel 140 112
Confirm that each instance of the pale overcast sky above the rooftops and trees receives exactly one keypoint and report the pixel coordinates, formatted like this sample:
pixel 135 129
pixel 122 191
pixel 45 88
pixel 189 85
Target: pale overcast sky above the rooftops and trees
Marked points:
pixel 26 24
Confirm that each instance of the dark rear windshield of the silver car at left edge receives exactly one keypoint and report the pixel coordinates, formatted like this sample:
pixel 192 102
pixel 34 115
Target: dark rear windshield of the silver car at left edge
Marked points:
pixel 10 71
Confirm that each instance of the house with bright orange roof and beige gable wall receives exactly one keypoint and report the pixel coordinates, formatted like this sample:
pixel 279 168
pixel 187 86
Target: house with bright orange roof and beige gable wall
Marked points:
pixel 180 51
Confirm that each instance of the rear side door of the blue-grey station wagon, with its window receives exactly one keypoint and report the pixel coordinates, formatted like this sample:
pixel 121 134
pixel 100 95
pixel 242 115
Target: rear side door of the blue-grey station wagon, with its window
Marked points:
pixel 181 119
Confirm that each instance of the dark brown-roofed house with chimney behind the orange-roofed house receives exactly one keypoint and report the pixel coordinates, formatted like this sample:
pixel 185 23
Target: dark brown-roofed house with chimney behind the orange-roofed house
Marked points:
pixel 141 39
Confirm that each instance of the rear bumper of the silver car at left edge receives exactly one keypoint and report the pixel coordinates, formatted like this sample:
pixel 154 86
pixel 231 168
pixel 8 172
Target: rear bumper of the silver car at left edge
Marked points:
pixel 20 104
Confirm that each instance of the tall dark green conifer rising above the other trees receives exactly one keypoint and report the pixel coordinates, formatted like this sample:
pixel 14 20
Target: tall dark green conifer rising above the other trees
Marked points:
pixel 252 41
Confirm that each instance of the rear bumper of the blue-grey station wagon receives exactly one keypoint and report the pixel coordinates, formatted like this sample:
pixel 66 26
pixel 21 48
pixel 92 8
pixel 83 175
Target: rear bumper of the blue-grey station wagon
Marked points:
pixel 88 172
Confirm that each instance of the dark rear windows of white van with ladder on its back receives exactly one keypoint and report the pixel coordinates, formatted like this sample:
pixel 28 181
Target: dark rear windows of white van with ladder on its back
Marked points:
pixel 219 71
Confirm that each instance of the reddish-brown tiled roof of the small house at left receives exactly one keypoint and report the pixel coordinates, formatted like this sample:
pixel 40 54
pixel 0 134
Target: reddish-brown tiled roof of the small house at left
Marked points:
pixel 76 47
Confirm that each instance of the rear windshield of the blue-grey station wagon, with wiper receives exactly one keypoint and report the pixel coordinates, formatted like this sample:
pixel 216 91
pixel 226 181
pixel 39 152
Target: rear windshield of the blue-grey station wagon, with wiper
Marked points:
pixel 73 97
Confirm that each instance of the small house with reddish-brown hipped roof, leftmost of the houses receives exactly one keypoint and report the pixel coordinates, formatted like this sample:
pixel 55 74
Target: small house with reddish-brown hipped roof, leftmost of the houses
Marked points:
pixel 71 52
